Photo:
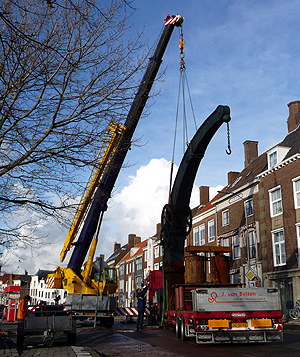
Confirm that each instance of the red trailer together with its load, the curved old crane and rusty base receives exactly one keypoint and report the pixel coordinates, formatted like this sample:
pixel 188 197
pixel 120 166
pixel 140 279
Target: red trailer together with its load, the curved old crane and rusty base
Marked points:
pixel 216 311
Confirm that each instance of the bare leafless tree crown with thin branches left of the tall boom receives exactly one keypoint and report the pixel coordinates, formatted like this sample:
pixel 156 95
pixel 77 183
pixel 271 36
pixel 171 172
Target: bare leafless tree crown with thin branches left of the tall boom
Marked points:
pixel 64 75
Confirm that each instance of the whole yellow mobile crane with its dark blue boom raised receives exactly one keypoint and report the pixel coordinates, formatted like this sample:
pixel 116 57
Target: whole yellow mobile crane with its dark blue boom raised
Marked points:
pixel 96 279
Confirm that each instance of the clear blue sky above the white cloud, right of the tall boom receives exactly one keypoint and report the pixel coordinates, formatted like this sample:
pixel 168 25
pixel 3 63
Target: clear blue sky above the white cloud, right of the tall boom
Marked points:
pixel 244 54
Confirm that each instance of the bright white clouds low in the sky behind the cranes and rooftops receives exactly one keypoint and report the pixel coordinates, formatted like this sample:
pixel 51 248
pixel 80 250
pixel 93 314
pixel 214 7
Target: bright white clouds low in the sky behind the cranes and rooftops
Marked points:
pixel 136 208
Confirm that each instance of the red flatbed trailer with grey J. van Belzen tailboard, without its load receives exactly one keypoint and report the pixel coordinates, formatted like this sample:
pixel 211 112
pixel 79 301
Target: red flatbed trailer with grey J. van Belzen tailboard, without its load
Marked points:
pixel 226 314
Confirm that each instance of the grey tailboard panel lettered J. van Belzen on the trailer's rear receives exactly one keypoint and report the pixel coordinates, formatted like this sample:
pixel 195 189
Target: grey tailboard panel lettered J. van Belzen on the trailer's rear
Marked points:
pixel 234 299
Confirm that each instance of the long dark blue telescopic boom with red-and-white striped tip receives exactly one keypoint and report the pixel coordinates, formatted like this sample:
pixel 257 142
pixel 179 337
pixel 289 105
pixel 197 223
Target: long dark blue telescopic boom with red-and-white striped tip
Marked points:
pixel 103 192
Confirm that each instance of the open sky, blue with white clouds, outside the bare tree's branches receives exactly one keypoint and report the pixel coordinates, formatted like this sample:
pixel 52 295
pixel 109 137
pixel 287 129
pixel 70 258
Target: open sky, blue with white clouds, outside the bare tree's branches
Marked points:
pixel 244 54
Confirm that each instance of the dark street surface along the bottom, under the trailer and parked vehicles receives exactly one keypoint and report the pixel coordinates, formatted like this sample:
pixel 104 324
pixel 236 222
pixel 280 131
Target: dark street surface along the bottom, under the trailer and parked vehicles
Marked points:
pixel 123 340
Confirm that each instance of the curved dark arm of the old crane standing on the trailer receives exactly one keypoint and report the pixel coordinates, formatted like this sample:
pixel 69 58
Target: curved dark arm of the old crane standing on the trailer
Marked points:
pixel 176 214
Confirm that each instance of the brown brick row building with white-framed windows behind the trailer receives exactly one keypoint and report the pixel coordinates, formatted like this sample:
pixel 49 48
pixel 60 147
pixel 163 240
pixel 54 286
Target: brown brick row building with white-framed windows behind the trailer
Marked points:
pixel 258 216
